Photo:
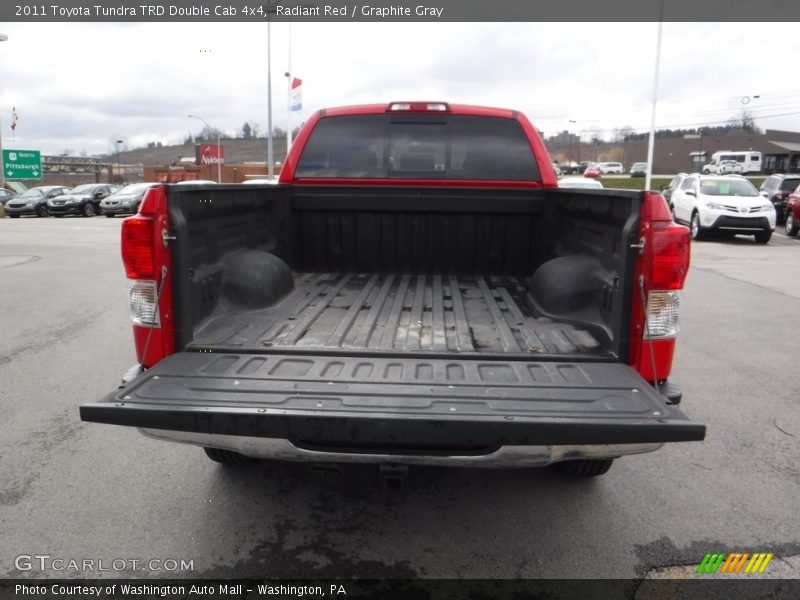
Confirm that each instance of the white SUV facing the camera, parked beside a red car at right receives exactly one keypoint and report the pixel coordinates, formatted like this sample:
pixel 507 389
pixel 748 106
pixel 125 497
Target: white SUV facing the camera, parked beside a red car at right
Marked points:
pixel 724 204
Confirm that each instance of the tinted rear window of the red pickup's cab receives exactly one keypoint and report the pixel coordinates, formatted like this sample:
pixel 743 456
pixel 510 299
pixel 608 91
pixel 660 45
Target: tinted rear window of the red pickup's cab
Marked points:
pixel 417 146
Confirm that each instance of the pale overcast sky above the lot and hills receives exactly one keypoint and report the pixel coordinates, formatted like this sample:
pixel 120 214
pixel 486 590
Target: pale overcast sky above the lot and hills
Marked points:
pixel 80 86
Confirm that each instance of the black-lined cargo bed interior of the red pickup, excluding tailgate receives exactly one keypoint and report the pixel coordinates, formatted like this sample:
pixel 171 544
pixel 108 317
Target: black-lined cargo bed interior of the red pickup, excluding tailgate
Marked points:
pixel 457 272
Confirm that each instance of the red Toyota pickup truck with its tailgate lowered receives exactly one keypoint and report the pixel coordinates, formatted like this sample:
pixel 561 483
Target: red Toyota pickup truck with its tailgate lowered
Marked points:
pixel 415 290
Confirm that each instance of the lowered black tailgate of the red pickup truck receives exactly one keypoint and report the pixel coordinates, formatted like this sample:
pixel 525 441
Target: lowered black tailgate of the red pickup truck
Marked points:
pixel 337 400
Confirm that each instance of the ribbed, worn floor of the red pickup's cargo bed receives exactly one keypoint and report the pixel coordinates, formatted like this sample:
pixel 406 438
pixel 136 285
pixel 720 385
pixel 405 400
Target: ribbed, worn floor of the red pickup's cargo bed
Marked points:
pixel 409 313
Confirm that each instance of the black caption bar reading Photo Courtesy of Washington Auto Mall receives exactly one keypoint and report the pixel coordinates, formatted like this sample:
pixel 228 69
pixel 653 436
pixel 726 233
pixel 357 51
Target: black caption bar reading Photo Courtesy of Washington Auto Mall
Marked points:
pixel 743 587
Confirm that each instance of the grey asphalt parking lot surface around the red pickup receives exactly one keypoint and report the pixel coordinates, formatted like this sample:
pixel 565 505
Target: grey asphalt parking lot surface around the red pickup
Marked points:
pixel 77 490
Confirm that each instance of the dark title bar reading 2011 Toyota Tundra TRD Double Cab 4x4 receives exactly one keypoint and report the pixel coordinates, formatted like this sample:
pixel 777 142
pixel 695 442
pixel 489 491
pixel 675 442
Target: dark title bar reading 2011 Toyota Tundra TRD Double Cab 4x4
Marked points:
pixel 337 11
